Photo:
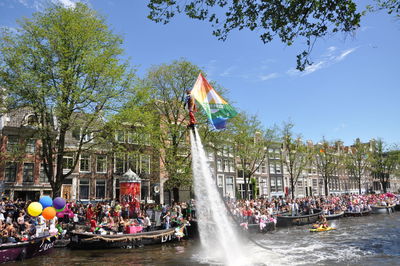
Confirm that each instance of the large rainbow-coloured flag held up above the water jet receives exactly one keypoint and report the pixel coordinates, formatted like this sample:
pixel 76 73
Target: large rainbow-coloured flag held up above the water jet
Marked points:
pixel 216 108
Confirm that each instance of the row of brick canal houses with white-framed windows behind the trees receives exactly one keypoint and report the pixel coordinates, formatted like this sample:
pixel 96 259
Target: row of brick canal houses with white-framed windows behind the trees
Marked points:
pixel 97 173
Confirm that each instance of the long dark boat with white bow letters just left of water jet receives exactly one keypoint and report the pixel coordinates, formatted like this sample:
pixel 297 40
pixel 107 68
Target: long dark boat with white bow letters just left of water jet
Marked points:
pixel 85 240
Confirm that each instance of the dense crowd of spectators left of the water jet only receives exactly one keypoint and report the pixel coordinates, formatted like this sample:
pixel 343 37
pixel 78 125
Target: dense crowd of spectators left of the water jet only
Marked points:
pixel 107 217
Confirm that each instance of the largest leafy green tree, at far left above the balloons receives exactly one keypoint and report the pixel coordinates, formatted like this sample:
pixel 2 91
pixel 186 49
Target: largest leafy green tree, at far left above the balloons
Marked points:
pixel 64 64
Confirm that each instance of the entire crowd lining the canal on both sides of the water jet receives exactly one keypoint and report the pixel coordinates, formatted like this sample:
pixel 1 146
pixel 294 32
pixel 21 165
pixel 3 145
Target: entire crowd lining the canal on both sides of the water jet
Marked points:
pixel 112 217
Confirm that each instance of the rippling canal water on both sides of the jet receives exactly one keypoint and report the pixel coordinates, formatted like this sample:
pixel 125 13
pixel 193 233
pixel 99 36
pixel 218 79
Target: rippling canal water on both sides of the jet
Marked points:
pixel 370 240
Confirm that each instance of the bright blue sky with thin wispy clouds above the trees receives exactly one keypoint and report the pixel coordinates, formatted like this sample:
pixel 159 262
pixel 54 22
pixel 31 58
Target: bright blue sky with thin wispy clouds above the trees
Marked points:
pixel 352 89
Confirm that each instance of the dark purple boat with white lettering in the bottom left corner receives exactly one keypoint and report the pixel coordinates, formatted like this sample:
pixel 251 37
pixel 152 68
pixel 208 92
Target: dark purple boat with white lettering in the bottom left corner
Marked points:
pixel 26 249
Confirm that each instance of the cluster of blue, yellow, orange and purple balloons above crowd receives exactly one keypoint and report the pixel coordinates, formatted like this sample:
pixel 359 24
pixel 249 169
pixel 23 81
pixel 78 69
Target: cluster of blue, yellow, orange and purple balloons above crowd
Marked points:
pixel 47 207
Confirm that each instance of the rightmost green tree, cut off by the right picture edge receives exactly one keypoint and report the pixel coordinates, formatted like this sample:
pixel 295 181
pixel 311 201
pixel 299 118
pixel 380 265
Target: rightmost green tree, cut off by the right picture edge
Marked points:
pixel 384 161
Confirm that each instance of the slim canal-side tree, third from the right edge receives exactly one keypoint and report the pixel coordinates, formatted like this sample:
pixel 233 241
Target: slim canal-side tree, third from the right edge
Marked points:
pixel 327 159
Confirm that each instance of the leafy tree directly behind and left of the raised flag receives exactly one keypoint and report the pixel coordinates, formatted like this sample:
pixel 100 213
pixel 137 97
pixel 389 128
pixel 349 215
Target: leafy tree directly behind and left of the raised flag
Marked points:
pixel 167 85
